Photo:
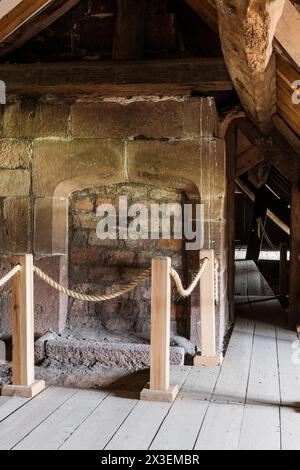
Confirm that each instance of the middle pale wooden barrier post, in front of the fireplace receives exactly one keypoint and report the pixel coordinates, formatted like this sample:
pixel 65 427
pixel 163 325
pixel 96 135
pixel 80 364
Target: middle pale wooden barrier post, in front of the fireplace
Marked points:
pixel 160 388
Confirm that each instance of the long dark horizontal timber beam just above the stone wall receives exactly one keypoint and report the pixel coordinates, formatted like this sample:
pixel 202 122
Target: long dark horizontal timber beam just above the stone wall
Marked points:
pixel 124 78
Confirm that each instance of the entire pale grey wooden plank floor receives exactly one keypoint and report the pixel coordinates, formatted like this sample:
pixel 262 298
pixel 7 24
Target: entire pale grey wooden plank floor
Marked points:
pixel 252 402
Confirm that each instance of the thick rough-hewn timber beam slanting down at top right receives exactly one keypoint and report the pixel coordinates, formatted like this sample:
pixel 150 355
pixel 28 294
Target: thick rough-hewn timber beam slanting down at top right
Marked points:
pixel 247 29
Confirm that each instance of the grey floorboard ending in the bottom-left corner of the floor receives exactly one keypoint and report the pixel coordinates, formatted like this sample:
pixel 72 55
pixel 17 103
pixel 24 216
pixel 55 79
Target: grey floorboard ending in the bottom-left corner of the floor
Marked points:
pixel 17 426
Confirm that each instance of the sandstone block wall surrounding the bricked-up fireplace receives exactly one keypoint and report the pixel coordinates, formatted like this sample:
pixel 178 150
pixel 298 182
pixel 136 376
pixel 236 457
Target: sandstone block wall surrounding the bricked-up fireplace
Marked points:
pixel 52 147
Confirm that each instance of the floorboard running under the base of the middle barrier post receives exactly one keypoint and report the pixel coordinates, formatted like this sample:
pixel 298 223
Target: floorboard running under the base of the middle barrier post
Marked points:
pixel 139 429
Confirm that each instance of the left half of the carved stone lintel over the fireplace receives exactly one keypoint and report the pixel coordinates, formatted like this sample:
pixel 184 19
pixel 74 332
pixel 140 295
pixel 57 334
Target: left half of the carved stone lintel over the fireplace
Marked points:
pixel 76 165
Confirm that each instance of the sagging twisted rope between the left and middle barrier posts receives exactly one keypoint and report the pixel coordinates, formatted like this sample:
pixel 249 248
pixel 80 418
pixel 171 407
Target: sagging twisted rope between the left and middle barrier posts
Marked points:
pixel 96 297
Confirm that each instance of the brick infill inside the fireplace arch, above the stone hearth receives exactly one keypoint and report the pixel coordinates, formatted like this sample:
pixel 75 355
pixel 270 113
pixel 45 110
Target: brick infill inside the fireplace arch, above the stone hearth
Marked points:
pixel 105 266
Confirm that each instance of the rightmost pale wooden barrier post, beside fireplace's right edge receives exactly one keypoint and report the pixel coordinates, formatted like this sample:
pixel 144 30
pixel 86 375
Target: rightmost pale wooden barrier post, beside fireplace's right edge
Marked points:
pixel 209 355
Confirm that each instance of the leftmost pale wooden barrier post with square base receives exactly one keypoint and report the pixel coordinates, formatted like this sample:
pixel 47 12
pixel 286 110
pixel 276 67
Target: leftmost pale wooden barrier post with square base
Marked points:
pixel 24 384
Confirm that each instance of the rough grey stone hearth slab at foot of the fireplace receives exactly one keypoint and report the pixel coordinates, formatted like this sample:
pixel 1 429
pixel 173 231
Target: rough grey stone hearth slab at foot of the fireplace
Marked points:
pixel 95 359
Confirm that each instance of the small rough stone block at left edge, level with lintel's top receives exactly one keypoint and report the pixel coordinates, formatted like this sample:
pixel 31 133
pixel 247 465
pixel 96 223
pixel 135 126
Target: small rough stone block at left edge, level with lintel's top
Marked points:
pixel 14 154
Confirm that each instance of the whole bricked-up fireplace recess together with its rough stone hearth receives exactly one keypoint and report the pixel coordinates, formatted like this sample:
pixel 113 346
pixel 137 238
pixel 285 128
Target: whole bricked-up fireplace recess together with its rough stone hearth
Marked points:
pixel 108 339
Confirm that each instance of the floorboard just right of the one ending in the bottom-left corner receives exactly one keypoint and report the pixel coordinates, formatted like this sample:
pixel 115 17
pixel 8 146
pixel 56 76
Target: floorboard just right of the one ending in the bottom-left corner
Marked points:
pixel 55 430
